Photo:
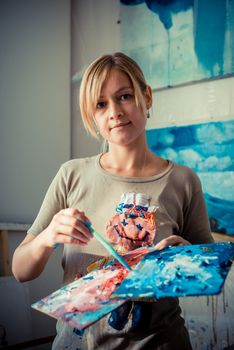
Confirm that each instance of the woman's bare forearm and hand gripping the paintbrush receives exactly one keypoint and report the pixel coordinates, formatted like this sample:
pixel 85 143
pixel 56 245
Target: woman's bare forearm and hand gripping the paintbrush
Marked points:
pixel 31 256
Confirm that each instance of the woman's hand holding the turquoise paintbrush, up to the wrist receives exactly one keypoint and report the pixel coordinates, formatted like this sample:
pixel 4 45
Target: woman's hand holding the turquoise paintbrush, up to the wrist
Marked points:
pixel 67 226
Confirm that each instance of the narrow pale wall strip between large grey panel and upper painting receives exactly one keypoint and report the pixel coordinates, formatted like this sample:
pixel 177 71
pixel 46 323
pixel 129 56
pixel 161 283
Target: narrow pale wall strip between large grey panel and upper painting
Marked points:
pixel 95 31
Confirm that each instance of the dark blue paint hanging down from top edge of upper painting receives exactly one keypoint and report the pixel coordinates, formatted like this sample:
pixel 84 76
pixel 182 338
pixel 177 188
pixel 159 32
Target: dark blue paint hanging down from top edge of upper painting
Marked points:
pixel 209 22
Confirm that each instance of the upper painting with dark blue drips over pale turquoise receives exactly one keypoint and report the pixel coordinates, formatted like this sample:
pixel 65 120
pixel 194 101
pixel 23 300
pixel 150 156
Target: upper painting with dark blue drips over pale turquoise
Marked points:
pixel 179 41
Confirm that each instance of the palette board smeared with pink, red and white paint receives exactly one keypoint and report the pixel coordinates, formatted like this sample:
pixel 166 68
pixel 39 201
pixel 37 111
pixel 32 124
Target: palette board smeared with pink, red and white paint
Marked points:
pixel 84 301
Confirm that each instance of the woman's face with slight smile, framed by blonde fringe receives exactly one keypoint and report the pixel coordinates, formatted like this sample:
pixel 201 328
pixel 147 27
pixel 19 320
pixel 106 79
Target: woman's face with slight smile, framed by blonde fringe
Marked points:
pixel 119 120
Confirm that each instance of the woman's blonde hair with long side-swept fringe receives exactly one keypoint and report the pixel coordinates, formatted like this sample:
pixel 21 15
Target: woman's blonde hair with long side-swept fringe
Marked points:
pixel 94 78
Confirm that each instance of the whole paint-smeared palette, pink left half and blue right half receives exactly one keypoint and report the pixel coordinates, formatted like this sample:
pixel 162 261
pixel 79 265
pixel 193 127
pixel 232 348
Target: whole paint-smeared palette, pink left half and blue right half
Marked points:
pixel 175 271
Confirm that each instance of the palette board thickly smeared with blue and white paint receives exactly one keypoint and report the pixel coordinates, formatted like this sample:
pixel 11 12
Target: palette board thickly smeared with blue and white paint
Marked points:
pixel 179 271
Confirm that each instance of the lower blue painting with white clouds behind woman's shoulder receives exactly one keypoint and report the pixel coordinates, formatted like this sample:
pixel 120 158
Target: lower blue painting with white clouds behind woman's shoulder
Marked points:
pixel 209 150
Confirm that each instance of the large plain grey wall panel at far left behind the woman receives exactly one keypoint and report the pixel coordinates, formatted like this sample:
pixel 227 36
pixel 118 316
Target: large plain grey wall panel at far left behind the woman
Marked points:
pixel 34 102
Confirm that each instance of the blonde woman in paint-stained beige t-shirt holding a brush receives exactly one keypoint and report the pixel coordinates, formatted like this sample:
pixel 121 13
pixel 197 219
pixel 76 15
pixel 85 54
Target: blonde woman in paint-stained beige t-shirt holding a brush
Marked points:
pixel 129 194
